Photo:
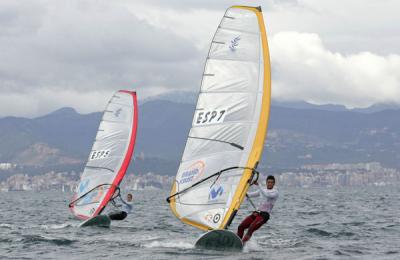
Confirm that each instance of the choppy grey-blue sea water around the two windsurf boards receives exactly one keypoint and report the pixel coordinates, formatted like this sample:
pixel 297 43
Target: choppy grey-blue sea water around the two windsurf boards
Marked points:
pixel 306 224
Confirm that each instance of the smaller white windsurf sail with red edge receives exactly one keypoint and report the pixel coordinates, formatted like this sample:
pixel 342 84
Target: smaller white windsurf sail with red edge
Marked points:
pixel 109 158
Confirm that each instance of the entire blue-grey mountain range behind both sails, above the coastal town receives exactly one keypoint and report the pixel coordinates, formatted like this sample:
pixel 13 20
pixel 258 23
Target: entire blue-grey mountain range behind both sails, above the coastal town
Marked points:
pixel 296 136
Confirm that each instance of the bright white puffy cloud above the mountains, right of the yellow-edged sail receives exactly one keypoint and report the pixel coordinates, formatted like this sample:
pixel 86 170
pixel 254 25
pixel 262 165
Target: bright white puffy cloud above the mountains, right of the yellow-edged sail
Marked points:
pixel 304 69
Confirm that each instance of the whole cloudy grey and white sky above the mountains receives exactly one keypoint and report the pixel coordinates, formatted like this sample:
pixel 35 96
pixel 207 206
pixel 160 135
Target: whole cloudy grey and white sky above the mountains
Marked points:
pixel 58 53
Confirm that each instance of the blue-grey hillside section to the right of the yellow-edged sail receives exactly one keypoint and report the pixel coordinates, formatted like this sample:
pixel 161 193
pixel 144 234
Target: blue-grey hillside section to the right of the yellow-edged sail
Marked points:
pixel 316 136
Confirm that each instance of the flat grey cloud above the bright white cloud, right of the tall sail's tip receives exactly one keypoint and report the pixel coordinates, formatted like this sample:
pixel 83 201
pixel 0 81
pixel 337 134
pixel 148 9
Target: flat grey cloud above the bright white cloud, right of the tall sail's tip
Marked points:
pixel 349 27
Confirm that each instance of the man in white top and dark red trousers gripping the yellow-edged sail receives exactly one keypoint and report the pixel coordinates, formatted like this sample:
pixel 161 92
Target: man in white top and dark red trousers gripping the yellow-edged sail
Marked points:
pixel 261 215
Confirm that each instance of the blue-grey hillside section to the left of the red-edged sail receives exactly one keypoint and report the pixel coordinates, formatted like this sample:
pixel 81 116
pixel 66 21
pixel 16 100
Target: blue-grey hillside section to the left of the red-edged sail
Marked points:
pixel 63 134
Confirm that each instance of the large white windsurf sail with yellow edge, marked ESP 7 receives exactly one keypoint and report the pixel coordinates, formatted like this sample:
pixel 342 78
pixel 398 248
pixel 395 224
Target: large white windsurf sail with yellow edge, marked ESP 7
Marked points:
pixel 229 125
